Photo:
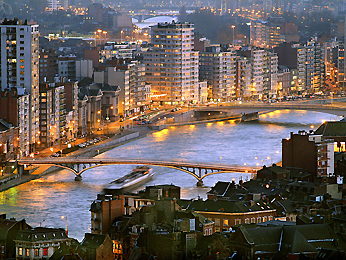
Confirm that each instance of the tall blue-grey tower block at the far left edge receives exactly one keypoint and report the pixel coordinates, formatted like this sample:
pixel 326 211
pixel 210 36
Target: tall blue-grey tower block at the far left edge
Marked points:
pixel 20 67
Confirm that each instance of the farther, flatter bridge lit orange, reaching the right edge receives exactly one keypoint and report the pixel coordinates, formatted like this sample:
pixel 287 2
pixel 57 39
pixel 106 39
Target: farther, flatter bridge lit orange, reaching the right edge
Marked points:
pixel 335 109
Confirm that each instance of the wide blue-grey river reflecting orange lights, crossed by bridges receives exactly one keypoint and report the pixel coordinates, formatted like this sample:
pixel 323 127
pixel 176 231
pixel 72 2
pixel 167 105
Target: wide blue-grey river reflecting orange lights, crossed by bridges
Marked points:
pixel 45 200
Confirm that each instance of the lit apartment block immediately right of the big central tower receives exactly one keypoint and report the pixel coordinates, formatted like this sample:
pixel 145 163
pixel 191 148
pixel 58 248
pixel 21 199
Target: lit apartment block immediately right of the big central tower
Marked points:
pixel 218 68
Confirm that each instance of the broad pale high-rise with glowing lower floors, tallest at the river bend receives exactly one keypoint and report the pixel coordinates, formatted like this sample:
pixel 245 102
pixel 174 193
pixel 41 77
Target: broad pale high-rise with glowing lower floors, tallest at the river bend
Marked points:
pixel 172 64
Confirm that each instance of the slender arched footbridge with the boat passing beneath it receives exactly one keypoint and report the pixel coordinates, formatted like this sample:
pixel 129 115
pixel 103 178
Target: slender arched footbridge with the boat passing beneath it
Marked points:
pixel 197 170
